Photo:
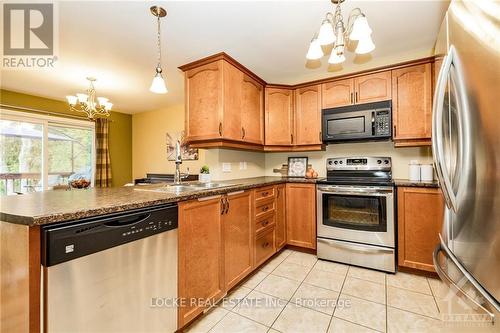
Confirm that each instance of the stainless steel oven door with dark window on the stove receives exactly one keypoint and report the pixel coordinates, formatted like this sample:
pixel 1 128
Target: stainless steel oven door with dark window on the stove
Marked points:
pixel 357 214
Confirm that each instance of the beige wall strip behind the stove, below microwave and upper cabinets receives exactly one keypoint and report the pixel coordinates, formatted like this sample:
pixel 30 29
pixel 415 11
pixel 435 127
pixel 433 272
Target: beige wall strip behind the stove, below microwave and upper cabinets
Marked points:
pixel 400 156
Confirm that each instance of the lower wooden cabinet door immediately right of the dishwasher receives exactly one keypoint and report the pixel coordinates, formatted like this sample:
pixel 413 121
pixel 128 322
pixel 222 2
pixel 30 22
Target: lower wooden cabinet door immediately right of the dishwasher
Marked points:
pixel 201 270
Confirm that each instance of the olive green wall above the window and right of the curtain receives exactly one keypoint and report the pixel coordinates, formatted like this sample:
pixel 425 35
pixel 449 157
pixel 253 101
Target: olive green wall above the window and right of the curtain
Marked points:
pixel 120 130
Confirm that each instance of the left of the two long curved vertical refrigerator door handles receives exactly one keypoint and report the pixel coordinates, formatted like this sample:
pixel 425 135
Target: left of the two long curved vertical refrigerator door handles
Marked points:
pixel 437 130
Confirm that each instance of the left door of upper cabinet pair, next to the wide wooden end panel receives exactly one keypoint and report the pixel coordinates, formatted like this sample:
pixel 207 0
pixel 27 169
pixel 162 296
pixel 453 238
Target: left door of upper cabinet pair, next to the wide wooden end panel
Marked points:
pixel 233 78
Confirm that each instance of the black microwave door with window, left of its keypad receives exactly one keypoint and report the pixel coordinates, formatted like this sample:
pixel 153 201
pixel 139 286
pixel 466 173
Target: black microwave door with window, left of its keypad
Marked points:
pixel 348 125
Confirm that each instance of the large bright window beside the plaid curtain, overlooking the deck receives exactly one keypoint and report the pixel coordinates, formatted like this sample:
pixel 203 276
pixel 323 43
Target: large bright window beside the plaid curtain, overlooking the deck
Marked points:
pixel 42 153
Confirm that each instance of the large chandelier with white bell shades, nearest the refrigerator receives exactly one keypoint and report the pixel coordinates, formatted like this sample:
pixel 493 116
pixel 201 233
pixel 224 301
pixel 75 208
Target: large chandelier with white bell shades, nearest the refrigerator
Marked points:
pixel 333 32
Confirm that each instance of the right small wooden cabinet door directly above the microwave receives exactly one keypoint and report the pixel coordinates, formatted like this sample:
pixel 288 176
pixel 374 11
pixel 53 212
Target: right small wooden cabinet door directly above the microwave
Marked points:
pixel 372 88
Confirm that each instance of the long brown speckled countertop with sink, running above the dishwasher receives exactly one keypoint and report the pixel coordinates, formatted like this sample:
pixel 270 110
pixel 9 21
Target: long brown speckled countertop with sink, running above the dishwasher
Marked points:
pixel 57 206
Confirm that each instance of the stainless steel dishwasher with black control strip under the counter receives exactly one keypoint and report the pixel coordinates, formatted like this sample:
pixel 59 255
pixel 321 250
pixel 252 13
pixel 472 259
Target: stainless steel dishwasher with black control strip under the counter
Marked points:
pixel 115 273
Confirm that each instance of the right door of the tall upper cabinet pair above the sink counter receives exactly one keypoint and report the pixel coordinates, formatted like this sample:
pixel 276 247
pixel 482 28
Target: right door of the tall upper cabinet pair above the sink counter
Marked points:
pixel 252 111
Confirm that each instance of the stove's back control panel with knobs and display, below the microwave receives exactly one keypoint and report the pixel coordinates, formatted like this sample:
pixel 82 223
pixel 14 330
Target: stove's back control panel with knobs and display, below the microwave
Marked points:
pixel 359 163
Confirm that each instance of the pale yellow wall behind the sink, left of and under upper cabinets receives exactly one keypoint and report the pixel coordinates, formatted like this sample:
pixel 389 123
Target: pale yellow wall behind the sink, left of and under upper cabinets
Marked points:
pixel 149 153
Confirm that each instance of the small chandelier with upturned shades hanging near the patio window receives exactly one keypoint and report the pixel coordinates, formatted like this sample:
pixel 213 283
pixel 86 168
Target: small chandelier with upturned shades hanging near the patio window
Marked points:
pixel 87 103
